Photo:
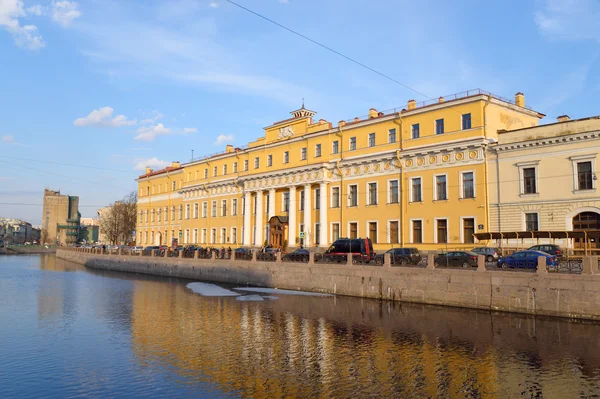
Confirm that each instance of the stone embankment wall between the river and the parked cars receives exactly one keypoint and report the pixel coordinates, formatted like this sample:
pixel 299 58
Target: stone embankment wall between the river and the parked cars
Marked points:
pixel 538 293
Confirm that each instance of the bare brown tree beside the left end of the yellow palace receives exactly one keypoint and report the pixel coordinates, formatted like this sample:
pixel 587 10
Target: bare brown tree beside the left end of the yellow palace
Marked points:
pixel 118 220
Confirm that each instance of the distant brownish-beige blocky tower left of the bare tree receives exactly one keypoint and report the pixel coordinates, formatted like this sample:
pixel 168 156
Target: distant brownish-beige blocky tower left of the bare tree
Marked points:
pixel 60 219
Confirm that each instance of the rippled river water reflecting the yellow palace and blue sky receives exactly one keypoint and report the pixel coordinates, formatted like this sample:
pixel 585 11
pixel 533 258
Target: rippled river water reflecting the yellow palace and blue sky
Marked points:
pixel 68 331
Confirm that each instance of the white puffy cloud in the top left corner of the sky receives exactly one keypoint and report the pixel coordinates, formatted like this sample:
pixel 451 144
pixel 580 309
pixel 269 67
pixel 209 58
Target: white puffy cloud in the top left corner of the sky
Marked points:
pixel 25 36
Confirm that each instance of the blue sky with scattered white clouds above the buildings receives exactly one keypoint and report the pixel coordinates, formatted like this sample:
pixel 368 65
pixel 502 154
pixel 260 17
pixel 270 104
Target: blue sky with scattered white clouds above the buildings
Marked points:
pixel 113 85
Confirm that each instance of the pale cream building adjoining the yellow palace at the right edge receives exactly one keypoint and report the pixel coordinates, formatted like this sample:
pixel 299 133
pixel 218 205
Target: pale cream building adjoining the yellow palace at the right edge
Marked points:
pixel 544 179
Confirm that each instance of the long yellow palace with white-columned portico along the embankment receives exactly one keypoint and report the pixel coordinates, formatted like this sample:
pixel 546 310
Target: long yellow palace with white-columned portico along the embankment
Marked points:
pixel 407 177
